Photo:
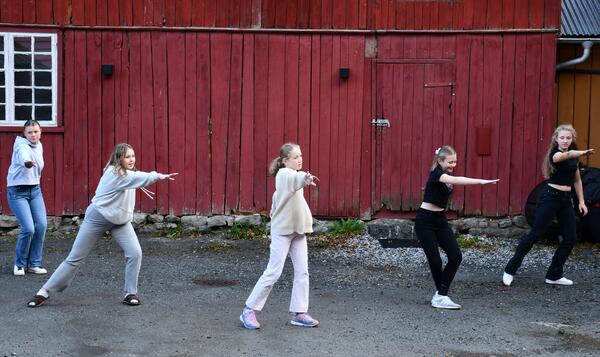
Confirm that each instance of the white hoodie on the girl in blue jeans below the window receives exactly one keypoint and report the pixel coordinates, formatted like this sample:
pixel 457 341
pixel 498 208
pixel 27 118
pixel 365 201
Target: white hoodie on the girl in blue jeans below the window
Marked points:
pixel 24 150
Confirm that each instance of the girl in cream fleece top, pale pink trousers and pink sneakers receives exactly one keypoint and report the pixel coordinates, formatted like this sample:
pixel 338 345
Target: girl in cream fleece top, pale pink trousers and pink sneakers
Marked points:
pixel 290 221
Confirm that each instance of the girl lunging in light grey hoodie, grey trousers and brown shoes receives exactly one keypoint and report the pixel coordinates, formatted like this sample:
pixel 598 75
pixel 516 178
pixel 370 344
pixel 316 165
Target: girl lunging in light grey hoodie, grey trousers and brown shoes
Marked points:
pixel 111 210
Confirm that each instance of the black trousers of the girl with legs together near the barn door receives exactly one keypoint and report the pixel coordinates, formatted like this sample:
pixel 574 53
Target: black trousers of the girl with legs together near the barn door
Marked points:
pixel 433 231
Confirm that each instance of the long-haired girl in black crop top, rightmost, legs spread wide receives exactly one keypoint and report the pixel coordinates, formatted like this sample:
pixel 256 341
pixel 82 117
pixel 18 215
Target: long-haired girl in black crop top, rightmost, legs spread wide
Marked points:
pixel 560 168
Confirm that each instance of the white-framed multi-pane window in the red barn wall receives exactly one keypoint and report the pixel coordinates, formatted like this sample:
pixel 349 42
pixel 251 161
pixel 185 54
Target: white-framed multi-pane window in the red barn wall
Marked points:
pixel 28 78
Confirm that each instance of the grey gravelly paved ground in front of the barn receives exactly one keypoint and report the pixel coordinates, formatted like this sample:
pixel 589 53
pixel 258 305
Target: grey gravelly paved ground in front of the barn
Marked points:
pixel 193 291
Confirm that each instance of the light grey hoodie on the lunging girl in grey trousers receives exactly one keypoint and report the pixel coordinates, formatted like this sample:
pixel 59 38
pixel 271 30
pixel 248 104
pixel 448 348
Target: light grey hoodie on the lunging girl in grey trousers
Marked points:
pixel 115 195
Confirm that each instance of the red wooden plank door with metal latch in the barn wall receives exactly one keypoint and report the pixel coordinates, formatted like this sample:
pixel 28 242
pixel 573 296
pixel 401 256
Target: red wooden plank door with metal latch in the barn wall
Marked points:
pixel 413 117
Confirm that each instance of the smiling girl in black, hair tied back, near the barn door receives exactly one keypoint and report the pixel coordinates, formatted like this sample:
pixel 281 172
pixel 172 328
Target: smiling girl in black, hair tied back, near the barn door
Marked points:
pixel 432 226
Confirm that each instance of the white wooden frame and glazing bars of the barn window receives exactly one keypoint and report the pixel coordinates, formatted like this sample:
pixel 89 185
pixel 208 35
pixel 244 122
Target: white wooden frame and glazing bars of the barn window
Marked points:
pixel 9 71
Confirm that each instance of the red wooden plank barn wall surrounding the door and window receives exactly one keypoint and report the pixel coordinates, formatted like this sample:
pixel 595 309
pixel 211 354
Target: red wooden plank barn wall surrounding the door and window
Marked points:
pixel 216 106
